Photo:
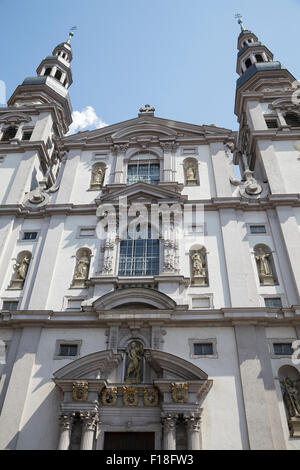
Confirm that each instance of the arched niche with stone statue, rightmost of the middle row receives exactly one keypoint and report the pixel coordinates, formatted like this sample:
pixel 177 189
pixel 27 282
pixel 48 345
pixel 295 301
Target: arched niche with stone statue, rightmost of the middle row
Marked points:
pixel 265 265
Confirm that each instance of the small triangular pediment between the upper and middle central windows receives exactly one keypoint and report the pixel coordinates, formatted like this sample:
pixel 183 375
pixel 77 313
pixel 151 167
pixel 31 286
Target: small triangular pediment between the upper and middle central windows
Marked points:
pixel 141 192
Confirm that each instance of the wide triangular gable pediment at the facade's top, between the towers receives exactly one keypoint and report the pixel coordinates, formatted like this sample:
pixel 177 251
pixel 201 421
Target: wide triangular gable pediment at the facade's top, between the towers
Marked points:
pixel 146 128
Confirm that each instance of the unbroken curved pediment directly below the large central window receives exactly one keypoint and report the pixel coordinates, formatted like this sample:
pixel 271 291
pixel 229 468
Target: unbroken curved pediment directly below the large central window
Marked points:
pixel 135 295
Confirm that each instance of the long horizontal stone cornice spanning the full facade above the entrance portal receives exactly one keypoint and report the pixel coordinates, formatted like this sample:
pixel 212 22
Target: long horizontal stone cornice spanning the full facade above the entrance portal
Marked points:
pixel 227 317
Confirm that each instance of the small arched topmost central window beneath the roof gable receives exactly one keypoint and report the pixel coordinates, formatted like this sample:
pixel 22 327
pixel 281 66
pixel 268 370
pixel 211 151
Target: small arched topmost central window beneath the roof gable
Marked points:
pixel 143 167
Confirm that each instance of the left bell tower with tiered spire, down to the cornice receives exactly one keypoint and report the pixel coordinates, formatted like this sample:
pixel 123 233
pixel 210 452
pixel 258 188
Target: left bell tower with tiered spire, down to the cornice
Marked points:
pixel 38 112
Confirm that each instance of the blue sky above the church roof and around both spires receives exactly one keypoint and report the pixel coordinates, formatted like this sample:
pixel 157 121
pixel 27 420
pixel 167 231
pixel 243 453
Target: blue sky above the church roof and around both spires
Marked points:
pixel 179 56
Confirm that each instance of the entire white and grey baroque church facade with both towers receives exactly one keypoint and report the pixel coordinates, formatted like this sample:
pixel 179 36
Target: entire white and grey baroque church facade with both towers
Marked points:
pixel 150 298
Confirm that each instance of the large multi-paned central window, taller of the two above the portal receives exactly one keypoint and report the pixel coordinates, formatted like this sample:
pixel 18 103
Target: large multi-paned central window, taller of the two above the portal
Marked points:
pixel 139 256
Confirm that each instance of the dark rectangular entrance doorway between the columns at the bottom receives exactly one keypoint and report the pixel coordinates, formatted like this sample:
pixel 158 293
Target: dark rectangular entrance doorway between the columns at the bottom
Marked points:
pixel 129 441
